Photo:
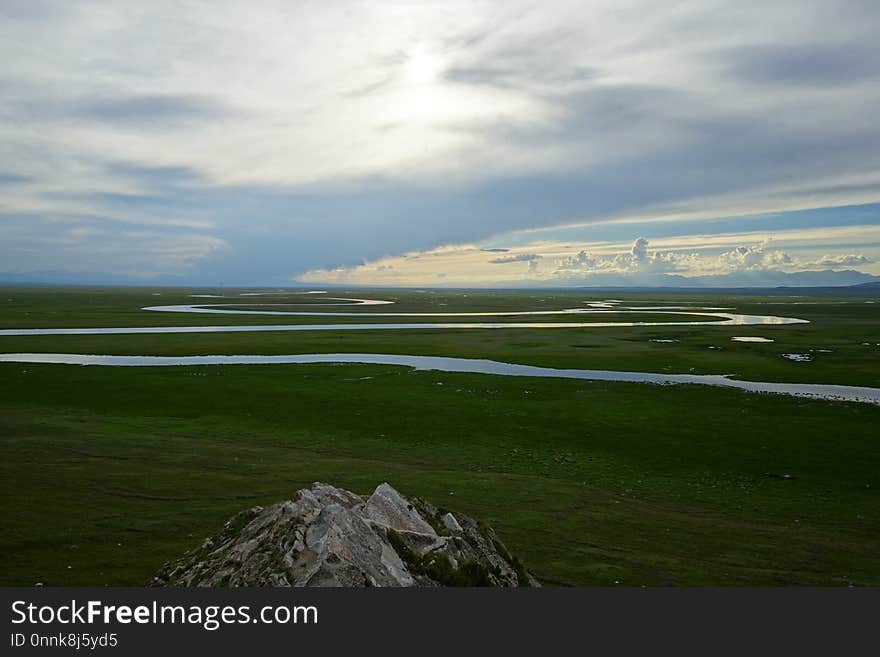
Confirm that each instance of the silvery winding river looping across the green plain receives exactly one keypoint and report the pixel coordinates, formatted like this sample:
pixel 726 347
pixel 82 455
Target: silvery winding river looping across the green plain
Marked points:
pixel 716 317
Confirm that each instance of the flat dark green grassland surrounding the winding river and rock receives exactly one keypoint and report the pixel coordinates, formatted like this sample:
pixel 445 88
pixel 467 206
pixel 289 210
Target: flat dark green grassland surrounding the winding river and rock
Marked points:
pixel 107 472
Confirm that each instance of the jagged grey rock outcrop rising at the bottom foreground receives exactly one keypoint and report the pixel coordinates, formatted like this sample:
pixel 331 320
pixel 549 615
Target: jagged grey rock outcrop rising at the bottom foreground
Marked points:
pixel 326 536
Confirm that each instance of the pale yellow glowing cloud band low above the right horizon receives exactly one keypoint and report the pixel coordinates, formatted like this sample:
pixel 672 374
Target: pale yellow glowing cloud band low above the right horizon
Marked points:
pixel 721 259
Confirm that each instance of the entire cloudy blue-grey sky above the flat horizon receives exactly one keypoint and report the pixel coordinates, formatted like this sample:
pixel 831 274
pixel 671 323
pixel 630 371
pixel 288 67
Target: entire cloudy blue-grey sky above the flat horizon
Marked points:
pixel 464 144
